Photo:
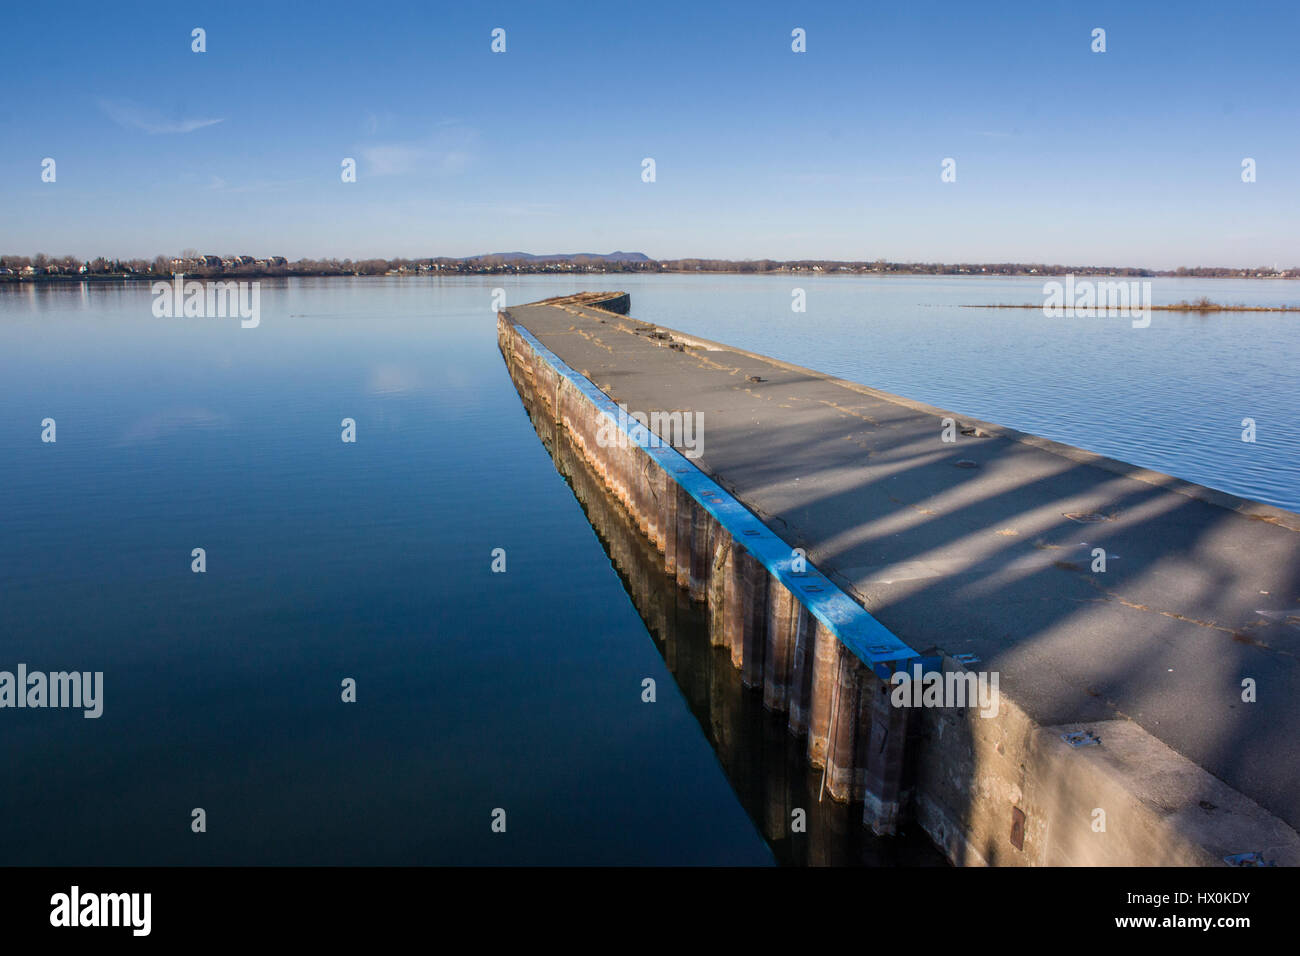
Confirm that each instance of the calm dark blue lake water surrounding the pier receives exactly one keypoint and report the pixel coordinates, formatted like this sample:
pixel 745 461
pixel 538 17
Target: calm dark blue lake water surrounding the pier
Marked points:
pixel 372 560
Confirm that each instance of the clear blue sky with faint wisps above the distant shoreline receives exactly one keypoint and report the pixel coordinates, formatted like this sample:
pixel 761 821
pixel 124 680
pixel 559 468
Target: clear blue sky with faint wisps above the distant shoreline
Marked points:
pixel 1132 157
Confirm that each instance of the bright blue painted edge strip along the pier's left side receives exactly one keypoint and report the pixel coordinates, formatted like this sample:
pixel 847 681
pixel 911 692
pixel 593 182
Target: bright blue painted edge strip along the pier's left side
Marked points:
pixel 870 642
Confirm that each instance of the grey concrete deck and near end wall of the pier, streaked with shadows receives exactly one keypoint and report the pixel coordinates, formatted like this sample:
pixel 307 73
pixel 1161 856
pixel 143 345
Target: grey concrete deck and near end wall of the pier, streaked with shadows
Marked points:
pixel 1178 661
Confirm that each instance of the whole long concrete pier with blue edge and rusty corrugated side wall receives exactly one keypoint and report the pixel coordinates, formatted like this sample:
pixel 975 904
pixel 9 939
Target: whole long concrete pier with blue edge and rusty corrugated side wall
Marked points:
pixel 1146 715
